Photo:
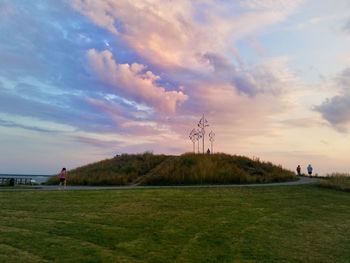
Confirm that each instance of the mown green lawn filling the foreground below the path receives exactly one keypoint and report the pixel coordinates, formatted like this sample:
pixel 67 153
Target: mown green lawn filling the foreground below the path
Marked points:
pixel 265 224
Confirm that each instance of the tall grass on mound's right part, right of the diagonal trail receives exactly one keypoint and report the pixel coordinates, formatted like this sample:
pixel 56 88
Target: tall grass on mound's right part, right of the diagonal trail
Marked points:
pixel 215 169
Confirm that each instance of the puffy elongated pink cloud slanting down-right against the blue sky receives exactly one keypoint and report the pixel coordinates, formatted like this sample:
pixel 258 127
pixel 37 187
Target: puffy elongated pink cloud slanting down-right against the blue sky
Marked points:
pixel 134 82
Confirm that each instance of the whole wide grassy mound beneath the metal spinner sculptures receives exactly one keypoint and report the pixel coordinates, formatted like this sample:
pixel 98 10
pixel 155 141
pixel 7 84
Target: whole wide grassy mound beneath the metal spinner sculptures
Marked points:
pixel 149 169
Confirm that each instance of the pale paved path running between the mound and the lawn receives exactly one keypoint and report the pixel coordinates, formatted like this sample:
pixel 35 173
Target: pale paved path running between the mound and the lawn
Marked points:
pixel 301 181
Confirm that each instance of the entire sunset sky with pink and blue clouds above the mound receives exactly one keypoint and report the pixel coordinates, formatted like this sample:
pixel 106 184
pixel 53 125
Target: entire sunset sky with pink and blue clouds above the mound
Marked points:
pixel 84 80
